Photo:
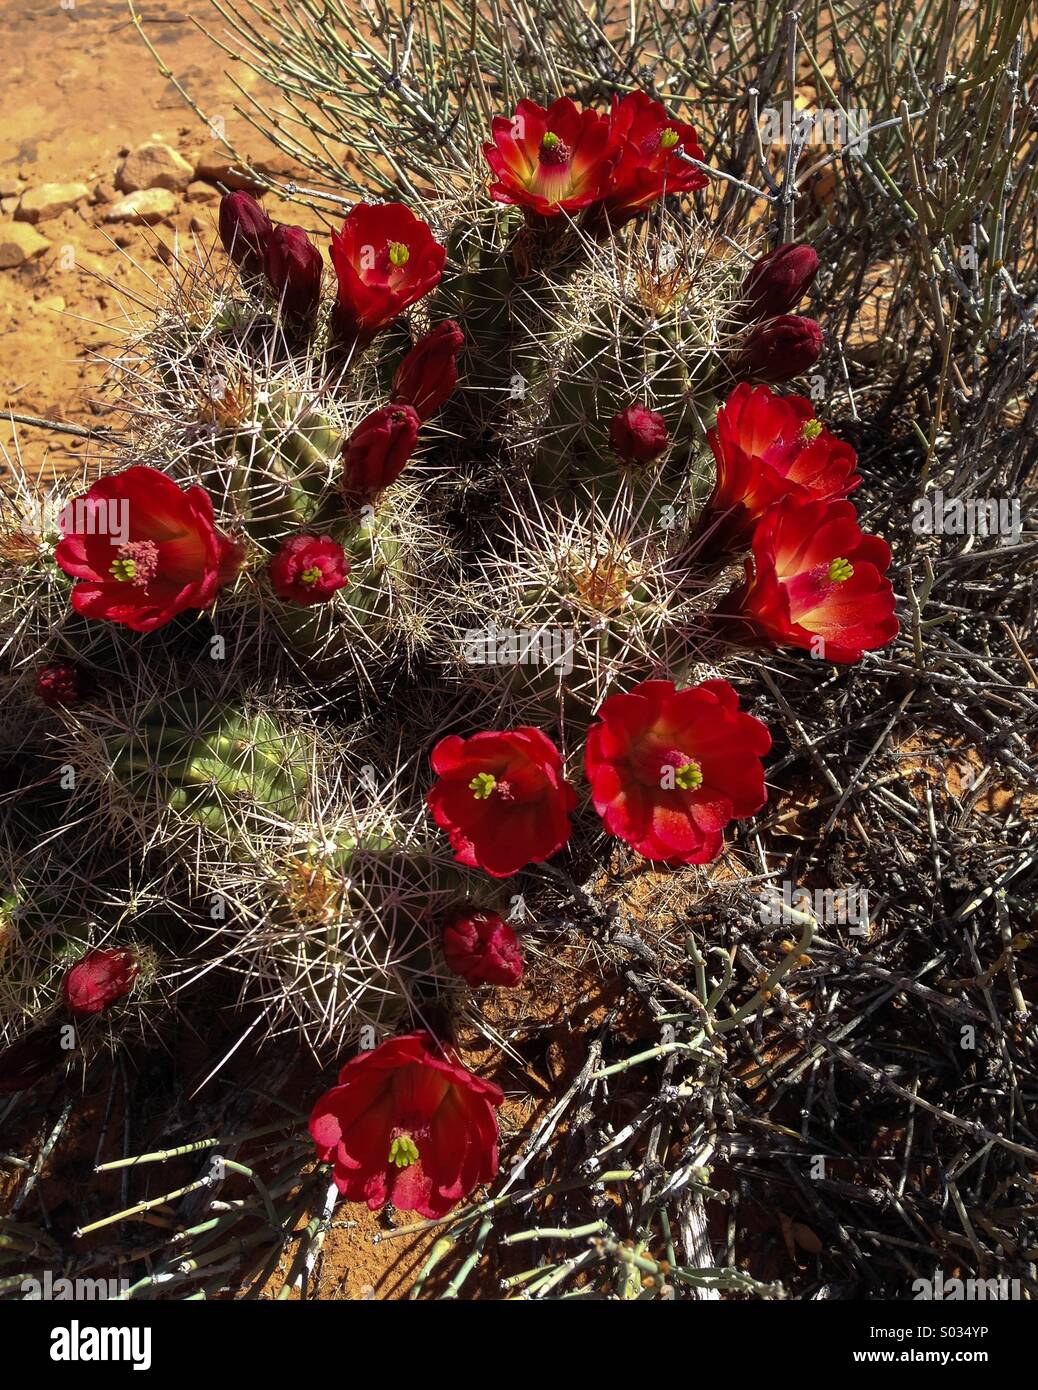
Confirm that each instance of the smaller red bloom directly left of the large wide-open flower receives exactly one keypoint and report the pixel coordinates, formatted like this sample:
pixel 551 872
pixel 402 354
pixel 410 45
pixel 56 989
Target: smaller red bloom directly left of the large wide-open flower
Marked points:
pixel 502 799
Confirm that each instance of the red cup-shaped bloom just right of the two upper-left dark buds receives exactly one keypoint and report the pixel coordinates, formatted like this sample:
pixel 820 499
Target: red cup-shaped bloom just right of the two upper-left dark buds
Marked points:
pixel 386 259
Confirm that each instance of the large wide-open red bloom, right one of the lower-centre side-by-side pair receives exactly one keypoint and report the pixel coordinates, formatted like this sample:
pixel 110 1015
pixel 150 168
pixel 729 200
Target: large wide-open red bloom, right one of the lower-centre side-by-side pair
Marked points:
pixel 669 769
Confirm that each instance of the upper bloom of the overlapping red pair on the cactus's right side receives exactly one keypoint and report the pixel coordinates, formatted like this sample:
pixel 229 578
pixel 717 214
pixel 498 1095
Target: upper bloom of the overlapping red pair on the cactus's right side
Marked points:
pixel 769 447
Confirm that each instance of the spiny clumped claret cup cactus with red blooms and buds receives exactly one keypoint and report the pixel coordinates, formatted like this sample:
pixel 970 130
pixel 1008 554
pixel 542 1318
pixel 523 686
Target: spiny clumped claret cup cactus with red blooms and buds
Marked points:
pixel 425 555
